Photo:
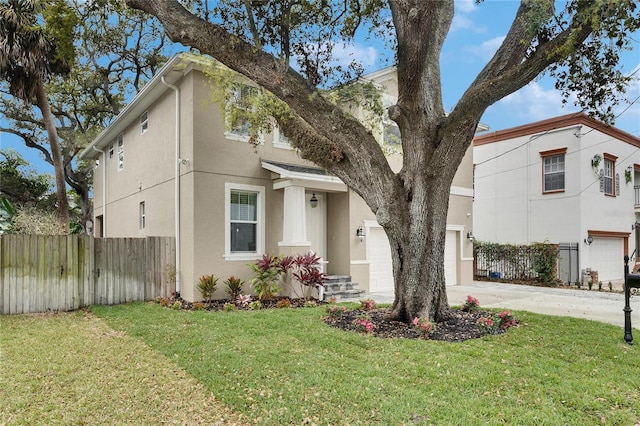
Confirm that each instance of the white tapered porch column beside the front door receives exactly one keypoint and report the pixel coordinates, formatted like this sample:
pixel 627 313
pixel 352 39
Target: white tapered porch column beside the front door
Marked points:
pixel 294 224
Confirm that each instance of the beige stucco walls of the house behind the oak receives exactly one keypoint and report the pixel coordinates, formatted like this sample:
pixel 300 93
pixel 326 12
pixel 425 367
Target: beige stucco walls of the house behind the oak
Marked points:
pixel 211 160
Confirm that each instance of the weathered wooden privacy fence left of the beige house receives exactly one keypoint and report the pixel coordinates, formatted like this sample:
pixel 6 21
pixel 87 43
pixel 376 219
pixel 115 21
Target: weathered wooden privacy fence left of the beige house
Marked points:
pixel 40 273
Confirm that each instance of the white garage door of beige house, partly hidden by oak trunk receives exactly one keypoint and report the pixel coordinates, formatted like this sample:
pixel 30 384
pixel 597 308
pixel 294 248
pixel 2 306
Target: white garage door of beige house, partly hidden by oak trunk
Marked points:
pixel 381 269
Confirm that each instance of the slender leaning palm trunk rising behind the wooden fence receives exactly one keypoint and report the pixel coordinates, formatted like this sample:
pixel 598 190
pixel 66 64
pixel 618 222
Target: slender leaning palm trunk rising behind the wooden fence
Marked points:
pixel 56 156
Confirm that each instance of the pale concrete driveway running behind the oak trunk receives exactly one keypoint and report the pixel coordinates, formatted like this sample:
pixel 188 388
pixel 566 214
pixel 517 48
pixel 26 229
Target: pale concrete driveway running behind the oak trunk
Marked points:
pixel 594 305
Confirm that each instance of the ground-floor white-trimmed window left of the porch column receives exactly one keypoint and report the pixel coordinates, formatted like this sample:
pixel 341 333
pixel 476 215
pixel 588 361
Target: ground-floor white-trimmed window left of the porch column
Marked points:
pixel 244 221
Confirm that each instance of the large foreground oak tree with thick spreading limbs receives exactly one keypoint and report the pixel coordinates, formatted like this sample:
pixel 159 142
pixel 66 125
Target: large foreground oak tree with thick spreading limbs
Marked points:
pixel 578 45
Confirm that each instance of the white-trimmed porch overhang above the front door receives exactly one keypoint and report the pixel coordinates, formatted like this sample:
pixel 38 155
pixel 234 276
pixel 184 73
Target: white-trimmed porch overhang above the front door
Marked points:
pixel 315 178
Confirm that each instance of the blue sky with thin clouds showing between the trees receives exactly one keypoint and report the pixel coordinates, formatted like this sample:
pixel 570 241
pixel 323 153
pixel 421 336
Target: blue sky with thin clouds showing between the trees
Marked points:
pixel 476 33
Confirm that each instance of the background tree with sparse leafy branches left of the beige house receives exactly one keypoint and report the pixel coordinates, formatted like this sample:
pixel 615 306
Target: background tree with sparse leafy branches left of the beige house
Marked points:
pixel 116 50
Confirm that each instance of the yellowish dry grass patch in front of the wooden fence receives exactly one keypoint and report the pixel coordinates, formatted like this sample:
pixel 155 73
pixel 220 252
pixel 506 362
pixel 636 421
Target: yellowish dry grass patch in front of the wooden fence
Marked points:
pixel 71 368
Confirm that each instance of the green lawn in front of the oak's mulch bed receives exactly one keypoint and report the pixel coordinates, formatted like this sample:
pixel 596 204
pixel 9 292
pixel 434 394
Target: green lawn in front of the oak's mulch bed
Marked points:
pixel 286 367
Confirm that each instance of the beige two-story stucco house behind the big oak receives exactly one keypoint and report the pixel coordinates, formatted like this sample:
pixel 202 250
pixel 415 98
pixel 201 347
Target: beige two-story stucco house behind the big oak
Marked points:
pixel 168 166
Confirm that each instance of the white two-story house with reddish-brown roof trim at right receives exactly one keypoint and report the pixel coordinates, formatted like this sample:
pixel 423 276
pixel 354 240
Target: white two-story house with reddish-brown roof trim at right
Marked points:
pixel 569 180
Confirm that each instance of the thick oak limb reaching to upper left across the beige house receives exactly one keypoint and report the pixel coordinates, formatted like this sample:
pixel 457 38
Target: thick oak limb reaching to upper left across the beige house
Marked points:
pixel 355 143
